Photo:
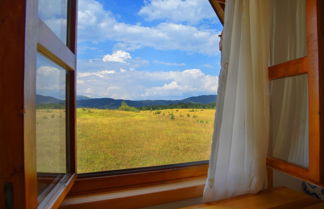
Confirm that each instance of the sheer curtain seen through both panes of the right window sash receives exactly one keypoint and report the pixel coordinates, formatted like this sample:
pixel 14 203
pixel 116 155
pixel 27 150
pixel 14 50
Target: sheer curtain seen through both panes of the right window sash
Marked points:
pixel 289 96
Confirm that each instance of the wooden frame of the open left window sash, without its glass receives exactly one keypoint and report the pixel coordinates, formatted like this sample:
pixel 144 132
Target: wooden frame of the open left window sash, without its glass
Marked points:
pixel 25 35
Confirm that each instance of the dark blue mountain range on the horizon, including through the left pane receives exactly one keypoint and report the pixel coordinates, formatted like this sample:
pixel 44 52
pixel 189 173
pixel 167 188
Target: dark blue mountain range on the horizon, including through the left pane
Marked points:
pixel 109 103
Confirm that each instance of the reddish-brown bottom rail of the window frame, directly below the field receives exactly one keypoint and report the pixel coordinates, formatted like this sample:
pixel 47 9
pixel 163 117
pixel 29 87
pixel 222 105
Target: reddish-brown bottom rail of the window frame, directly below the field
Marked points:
pixel 106 183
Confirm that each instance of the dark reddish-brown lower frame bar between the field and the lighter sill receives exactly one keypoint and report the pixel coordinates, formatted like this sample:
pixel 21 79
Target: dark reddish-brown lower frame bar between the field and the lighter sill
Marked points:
pixel 111 180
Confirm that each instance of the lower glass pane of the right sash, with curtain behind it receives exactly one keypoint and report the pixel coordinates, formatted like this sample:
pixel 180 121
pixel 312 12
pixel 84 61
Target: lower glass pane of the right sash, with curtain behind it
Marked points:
pixel 289 119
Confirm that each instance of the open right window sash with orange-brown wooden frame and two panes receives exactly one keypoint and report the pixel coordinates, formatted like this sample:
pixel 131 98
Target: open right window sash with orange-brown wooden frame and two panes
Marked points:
pixel 296 78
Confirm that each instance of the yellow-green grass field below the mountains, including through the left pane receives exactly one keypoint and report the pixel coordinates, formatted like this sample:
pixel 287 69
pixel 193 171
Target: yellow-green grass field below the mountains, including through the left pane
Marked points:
pixel 115 139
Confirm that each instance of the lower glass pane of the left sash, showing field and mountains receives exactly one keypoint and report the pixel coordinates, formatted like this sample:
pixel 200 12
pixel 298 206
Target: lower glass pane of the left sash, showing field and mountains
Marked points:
pixel 50 123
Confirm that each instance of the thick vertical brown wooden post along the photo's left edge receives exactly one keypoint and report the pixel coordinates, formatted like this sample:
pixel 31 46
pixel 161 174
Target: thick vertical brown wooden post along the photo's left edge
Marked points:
pixel 17 162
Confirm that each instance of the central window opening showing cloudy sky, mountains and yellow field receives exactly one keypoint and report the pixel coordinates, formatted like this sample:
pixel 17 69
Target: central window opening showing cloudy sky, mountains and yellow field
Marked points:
pixel 147 81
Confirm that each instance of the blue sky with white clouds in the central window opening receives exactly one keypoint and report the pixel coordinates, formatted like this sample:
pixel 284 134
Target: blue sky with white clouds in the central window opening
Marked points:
pixel 147 49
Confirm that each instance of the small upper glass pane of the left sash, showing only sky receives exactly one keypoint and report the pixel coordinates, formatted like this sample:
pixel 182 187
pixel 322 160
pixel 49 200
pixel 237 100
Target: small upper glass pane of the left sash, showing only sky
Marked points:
pixel 54 14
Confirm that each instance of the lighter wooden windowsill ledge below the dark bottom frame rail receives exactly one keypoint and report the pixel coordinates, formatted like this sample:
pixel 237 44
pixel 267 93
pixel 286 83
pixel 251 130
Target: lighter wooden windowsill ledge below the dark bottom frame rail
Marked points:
pixel 137 197
